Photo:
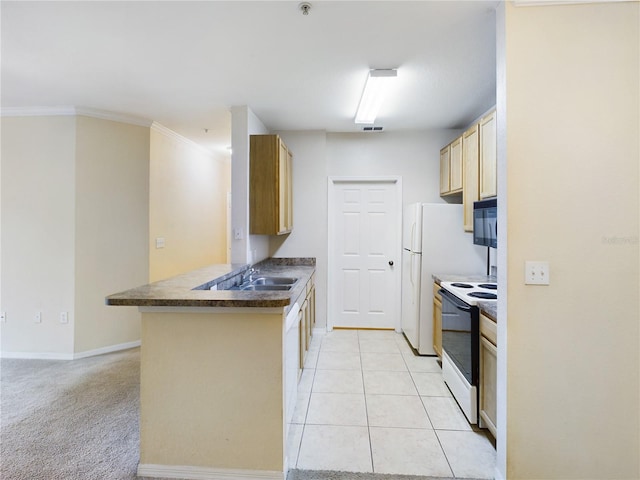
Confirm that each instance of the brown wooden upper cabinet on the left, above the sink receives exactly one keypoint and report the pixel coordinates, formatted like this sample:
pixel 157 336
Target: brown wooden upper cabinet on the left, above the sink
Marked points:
pixel 270 186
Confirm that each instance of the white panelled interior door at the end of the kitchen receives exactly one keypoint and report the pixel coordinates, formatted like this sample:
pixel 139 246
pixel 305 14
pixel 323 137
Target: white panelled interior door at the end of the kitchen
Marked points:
pixel 364 253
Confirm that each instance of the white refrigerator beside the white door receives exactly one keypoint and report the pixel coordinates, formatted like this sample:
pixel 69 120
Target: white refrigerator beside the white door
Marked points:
pixel 433 241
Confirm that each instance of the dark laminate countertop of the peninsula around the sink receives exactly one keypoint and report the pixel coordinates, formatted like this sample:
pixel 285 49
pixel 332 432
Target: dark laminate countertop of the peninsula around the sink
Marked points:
pixel 192 289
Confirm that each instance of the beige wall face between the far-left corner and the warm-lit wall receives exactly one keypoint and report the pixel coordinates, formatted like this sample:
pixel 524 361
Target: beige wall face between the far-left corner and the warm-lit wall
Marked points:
pixel 112 228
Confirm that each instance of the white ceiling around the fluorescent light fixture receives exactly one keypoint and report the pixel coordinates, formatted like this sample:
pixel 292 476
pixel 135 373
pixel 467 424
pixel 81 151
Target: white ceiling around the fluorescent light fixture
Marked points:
pixel 184 64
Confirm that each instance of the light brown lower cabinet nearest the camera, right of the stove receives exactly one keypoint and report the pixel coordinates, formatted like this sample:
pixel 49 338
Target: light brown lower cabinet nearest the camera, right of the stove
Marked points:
pixel 488 373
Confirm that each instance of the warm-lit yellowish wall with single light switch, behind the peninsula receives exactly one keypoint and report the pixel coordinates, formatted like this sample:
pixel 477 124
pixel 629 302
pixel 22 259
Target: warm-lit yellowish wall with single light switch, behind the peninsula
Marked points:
pixel 188 206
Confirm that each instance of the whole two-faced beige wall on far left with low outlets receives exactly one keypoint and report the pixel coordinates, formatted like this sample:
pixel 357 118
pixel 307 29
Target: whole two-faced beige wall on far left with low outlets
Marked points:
pixel 74 230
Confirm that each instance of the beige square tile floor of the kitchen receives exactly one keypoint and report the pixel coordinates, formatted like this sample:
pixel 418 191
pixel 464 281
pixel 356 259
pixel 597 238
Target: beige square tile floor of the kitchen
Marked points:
pixel 367 404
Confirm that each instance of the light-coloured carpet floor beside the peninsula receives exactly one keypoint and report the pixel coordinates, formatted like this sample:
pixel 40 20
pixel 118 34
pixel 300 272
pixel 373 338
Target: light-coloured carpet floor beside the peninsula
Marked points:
pixel 78 420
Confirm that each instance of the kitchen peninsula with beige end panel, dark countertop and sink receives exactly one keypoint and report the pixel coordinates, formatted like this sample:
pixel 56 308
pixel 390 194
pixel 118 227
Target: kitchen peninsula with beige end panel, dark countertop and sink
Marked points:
pixel 216 369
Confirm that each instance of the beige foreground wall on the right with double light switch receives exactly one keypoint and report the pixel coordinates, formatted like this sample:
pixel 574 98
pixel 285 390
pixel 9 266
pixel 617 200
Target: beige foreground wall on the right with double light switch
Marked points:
pixel 572 155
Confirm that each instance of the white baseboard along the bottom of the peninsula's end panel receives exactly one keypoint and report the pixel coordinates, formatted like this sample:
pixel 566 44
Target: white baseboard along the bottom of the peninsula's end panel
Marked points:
pixel 206 473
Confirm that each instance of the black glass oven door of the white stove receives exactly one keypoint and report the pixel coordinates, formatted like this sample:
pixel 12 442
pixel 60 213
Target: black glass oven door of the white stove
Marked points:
pixel 457 334
